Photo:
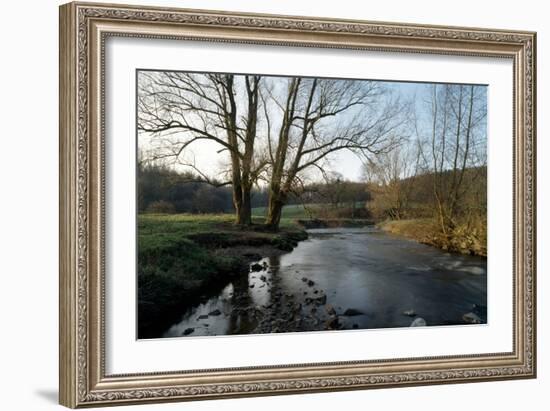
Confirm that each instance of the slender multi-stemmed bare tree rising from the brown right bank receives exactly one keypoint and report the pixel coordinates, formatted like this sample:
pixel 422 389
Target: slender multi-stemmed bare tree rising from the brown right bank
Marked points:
pixel 456 145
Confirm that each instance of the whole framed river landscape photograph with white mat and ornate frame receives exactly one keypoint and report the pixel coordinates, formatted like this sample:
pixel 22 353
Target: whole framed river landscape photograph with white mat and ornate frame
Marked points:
pixel 259 204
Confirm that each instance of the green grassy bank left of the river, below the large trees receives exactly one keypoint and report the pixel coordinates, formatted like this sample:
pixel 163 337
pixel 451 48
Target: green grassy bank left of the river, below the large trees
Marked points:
pixel 182 257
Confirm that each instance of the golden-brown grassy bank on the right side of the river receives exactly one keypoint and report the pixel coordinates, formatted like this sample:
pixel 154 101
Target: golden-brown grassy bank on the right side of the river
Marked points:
pixel 465 238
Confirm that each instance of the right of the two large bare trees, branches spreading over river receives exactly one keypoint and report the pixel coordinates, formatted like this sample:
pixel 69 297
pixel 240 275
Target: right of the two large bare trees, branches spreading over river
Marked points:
pixel 319 117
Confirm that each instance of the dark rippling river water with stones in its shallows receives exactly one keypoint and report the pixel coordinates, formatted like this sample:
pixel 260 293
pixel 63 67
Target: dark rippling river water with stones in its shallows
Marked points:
pixel 345 278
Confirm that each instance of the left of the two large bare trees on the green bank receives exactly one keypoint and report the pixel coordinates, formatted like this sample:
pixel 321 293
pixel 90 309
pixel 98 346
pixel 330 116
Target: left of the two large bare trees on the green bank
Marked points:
pixel 179 109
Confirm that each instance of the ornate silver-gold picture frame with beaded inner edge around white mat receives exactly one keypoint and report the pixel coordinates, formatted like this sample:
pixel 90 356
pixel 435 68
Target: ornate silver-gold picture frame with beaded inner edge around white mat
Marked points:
pixel 83 30
